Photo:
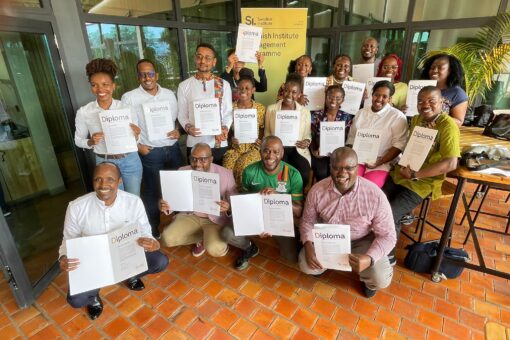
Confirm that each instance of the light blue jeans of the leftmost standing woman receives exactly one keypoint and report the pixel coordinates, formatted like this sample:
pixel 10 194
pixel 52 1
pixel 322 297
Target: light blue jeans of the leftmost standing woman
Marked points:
pixel 130 171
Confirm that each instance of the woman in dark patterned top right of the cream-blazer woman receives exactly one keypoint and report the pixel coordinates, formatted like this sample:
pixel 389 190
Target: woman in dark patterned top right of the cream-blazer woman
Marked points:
pixel 335 95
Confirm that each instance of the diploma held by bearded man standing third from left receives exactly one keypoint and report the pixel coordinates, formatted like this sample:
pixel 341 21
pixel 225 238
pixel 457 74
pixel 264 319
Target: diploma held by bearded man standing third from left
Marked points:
pixel 207 116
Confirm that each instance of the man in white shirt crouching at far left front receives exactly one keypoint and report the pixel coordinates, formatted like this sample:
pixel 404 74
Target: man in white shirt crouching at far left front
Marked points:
pixel 103 211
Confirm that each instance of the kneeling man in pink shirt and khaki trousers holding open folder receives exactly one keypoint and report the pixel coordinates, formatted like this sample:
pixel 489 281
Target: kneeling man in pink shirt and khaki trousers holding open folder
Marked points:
pixel 199 228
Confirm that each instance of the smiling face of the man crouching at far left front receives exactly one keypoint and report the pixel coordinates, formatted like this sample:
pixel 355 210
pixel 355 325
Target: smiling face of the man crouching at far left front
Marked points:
pixel 106 182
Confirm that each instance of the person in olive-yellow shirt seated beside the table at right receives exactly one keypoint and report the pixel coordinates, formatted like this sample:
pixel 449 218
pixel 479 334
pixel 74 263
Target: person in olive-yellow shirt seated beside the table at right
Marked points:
pixel 406 188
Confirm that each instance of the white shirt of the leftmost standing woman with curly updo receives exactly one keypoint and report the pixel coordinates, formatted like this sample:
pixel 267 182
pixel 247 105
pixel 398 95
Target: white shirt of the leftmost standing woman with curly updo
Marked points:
pixel 87 123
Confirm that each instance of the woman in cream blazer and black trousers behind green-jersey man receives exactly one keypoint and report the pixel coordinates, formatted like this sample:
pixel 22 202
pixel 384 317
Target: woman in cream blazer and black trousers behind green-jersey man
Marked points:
pixel 298 156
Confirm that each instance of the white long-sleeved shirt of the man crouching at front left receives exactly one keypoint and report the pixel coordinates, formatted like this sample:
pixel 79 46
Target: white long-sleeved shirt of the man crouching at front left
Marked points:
pixel 88 215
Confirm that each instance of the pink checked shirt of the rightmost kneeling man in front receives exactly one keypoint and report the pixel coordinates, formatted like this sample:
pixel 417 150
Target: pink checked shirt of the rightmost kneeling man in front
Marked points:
pixel 365 208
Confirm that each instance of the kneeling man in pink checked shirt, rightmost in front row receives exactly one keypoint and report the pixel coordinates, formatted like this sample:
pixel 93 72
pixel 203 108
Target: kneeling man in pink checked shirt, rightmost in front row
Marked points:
pixel 345 198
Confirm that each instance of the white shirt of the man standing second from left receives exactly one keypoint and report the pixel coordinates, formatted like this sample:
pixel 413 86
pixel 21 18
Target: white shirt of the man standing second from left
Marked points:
pixel 139 96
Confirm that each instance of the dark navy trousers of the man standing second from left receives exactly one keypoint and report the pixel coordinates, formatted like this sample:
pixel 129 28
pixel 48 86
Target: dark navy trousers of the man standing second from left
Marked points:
pixel 160 158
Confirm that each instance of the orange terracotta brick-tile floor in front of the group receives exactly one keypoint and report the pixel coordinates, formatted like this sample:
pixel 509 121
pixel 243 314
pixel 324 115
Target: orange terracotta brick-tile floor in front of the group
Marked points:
pixel 207 298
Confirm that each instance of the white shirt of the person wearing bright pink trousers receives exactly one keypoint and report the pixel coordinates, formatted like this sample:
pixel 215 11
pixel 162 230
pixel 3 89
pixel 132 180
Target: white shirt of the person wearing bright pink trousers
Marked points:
pixel 390 121
